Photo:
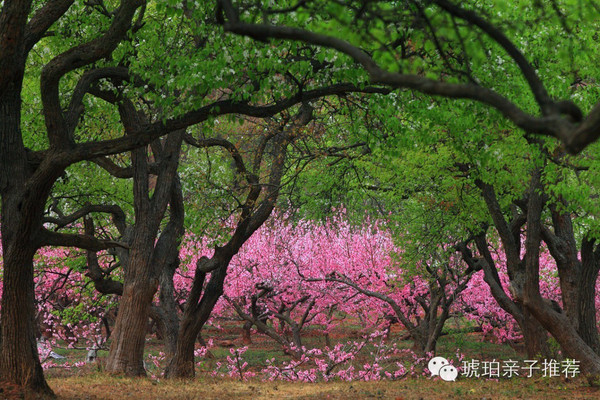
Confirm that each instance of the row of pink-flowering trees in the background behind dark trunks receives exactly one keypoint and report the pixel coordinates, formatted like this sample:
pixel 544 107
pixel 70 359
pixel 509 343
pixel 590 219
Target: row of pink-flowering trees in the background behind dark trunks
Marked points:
pixel 290 278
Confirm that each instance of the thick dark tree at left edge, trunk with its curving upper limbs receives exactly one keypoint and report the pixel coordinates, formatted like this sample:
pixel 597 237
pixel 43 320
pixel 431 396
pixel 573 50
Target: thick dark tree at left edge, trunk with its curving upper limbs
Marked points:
pixel 26 177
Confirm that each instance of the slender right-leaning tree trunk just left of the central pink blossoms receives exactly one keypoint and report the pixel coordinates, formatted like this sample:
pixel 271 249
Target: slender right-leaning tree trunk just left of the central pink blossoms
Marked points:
pixel 257 207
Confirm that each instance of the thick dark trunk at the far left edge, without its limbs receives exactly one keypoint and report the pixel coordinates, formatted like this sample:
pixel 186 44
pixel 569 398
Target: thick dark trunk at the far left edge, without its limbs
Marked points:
pixel 19 360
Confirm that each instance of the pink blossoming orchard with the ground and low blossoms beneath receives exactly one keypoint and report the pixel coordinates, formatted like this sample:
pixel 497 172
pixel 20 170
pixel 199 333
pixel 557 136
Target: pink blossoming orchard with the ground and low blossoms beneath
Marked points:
pixel 293 281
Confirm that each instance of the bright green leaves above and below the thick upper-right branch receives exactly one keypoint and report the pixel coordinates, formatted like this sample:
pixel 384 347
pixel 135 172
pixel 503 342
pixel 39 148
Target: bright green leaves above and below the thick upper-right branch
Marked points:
pixel 427 155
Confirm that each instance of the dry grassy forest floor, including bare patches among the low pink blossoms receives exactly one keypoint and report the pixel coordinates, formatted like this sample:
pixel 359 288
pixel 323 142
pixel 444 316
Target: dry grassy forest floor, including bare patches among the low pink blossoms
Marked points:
pixel 90 382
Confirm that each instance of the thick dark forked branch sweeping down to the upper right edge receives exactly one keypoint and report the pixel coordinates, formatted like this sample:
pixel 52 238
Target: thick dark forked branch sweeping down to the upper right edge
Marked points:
pixel 552 123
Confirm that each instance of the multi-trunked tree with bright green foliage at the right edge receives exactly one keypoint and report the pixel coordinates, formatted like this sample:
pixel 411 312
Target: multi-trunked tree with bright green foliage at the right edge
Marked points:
pixel 487 195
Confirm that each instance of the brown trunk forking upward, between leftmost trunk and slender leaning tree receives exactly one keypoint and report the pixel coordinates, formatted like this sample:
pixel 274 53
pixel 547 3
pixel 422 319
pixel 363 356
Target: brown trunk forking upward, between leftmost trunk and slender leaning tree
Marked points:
pixel 146 260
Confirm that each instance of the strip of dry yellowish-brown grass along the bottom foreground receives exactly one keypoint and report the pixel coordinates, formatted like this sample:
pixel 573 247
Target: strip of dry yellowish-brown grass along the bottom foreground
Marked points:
pixel 103 387
